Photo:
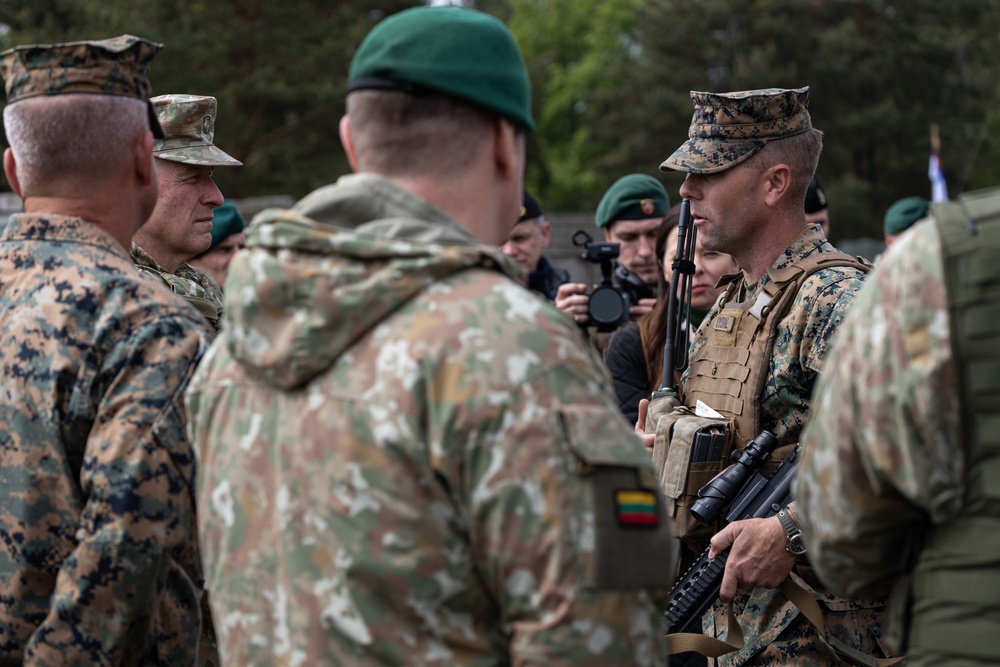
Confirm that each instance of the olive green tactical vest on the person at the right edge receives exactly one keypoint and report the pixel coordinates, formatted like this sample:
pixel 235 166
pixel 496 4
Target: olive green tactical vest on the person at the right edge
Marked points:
pixel 955 612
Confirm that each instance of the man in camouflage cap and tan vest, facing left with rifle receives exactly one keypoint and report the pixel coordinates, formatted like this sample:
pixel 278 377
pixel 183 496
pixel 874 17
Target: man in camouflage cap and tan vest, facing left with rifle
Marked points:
pixel 749 159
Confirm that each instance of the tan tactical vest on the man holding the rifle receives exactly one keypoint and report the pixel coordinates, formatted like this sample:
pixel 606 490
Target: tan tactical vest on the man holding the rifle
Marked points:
pixel 733 364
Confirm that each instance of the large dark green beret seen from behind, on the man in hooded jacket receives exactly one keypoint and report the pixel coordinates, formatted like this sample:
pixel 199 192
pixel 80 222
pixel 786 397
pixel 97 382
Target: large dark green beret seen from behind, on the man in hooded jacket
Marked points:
pixel 451 50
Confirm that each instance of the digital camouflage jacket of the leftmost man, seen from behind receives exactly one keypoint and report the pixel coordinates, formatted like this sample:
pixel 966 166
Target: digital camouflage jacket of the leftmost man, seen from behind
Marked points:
pixel 98 562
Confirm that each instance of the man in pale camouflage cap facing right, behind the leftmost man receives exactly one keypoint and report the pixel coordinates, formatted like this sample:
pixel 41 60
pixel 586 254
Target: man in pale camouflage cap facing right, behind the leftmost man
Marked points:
pixel 181 225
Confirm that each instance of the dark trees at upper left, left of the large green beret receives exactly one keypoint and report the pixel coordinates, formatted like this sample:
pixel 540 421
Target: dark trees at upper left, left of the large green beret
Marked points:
pixel 278 69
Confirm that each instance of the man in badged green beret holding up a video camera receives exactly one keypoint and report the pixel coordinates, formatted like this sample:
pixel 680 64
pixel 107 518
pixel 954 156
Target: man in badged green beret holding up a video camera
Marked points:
pixel 630 213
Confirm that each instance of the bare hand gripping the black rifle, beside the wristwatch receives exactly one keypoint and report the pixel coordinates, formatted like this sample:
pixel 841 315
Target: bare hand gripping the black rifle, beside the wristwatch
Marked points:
pixel 758 558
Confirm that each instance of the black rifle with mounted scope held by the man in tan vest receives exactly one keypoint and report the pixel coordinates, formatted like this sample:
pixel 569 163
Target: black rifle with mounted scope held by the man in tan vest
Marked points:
pixel 756 497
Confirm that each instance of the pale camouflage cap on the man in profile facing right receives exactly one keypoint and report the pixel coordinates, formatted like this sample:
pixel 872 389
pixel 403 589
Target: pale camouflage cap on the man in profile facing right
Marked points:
pixel 189 126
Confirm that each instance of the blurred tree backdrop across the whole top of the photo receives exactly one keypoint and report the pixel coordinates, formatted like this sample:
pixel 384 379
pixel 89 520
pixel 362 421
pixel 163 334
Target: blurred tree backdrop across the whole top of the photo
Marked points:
pixel 610 81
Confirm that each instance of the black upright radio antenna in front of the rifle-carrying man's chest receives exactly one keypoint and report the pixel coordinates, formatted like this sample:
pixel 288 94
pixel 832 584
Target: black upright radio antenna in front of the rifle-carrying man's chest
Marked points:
pixel 675 356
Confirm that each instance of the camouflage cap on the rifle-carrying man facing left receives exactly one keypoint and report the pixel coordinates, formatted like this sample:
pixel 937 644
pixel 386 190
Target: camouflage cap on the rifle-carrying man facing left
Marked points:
pixel 728 128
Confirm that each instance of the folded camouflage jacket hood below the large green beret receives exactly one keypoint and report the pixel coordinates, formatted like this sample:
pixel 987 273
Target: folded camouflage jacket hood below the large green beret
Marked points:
pixel 317 277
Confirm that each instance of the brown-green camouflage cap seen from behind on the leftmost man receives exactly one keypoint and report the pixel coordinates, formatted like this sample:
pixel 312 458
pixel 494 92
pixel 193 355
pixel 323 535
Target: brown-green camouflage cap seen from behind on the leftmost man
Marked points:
pixel 117 66
